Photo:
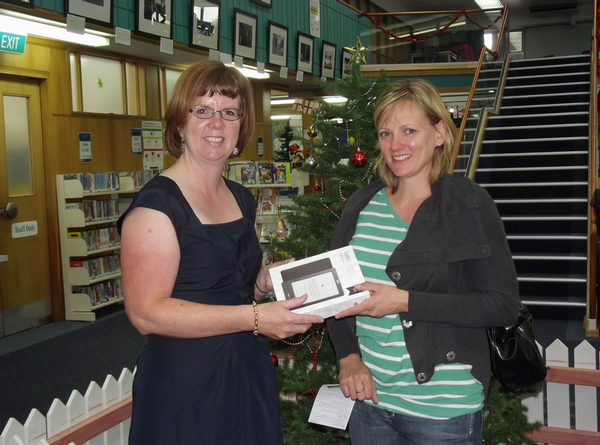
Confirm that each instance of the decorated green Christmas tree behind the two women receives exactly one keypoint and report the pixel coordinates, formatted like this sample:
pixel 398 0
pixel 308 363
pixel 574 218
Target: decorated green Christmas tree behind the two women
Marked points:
pixel 343 152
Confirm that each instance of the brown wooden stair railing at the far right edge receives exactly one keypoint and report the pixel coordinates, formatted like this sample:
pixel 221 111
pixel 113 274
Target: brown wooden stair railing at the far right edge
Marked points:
pixel 592 284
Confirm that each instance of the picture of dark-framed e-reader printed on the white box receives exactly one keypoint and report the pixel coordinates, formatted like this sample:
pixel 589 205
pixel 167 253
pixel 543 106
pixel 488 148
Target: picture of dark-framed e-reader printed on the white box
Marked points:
pixel 319 286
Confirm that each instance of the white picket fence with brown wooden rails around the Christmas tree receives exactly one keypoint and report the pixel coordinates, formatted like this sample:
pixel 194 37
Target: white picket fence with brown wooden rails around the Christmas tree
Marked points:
pixel 102 416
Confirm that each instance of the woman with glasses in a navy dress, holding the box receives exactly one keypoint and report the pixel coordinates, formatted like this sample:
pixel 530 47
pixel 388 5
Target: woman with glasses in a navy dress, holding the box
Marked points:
pixel 192 277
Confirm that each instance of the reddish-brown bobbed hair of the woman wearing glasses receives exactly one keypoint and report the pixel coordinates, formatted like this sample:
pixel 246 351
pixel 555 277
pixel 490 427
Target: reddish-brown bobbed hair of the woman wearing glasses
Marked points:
pixel 209 77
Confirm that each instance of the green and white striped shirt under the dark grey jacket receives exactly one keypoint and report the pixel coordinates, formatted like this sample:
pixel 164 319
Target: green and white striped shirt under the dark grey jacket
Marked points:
pixel 452 391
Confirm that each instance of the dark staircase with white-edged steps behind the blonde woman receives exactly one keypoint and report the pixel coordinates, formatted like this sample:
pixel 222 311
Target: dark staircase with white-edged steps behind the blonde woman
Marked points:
pixel 534 164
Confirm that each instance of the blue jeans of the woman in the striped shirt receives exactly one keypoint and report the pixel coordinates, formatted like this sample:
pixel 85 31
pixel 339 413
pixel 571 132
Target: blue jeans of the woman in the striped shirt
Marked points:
pixel 375 426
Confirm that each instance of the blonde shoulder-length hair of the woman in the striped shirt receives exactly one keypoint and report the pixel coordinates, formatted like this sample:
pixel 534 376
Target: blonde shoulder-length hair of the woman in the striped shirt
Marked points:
pixel 421 93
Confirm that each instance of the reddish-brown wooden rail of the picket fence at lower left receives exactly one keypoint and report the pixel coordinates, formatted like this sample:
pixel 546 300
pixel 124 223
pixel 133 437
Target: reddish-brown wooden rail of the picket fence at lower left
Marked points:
pixel 95 425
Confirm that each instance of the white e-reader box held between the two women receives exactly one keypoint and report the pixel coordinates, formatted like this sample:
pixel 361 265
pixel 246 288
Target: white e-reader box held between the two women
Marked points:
pixel 328 279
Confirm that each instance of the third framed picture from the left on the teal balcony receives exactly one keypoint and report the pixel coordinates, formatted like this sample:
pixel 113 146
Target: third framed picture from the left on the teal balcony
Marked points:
pixel 206 24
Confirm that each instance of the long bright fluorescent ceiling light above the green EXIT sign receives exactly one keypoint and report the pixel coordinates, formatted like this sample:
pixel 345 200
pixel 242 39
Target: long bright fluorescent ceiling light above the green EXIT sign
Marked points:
pixel 56 31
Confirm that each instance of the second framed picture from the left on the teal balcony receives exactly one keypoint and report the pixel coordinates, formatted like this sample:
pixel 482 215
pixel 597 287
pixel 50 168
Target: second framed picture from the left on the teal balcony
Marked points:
pixel 154 18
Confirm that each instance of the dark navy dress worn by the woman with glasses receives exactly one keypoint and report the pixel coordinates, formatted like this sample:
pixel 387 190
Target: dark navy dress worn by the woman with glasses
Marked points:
pixel 217 390
